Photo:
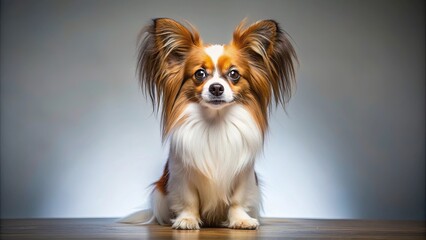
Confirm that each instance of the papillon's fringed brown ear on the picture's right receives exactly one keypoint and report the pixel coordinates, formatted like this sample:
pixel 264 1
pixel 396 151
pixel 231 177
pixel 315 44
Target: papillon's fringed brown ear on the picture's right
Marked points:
pixel 269 49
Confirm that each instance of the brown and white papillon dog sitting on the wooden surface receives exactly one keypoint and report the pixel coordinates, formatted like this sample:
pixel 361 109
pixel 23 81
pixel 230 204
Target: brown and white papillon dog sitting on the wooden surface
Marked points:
pixel 214 102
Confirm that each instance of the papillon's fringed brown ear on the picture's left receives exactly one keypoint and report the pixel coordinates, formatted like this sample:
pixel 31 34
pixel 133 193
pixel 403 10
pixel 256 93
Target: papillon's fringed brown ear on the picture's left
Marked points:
pixel 163 47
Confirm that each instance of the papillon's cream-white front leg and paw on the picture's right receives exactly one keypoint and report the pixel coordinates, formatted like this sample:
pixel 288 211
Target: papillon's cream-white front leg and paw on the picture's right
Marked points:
pixel 245 200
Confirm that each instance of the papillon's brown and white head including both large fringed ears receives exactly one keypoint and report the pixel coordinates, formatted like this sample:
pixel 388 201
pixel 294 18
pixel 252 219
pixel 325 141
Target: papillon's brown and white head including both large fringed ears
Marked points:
pixel 176 69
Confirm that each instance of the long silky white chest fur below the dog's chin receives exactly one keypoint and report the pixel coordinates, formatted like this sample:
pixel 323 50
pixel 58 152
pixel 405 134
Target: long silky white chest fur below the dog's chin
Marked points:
pixel 217 143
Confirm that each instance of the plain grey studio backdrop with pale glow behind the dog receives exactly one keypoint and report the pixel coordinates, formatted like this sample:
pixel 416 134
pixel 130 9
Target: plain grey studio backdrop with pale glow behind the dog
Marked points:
pixel 78 139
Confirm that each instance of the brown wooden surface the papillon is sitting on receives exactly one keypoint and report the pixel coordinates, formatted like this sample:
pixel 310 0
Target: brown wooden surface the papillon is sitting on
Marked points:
pixel 270 229
